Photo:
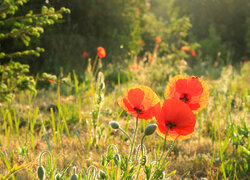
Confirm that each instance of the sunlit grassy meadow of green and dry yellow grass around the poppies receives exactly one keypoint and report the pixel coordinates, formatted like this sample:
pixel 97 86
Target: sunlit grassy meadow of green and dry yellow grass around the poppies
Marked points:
pixel 61 118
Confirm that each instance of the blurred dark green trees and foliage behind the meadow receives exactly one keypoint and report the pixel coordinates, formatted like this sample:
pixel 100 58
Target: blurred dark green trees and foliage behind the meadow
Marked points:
pixel 218 30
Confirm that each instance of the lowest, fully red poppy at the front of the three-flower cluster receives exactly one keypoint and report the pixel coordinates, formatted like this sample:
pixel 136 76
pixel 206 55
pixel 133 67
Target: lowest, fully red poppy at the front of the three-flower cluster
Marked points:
pixel 176 116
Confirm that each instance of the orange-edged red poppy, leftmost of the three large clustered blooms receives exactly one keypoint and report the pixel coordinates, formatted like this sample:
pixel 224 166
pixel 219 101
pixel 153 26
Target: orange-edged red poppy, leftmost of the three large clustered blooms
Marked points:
pixel 142 100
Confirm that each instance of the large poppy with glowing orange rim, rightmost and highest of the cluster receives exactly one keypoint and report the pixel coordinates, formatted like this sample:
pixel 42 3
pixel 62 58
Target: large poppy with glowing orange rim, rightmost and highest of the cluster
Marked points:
pixel 189 89
